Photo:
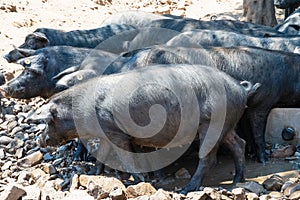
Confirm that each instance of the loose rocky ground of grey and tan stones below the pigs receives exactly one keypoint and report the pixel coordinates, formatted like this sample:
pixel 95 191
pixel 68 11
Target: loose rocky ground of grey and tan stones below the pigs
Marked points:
pixel 31 172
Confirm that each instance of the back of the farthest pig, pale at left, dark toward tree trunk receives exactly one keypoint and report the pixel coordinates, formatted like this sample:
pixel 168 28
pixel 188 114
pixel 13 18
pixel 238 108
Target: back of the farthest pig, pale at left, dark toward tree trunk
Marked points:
pixel 140 19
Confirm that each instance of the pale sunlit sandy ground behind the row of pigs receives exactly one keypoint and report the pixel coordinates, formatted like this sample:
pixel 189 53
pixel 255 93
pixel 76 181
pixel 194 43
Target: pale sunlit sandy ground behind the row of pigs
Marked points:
pixel 21 17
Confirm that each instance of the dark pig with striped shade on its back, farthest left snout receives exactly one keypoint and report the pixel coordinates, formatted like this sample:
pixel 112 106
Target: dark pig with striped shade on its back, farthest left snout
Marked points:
pixel 43 37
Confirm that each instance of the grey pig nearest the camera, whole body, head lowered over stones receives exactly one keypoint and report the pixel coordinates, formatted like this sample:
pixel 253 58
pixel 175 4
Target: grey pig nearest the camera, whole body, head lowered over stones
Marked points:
pixel 77 111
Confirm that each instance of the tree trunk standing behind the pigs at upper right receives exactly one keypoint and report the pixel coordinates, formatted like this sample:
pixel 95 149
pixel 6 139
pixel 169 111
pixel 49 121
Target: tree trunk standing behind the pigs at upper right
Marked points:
pixel 259 12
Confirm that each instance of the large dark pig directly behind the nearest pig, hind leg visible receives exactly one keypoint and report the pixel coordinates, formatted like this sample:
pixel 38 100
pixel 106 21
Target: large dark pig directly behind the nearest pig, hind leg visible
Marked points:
pixel 277 71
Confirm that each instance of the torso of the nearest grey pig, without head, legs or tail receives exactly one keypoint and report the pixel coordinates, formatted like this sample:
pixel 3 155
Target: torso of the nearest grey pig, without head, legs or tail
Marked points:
pixel 152 105
